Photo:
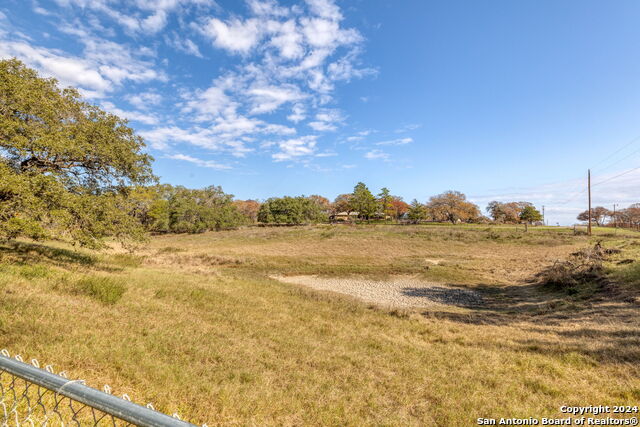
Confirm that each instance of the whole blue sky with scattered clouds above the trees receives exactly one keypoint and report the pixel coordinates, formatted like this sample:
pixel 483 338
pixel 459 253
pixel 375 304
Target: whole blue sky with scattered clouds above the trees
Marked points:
pixel 501 99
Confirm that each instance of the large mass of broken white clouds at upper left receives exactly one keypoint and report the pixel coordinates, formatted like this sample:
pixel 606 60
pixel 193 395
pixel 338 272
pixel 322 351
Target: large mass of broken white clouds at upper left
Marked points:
pixel 291 58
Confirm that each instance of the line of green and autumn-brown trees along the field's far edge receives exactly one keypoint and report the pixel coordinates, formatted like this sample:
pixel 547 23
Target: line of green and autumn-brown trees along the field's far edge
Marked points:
pixel 72 171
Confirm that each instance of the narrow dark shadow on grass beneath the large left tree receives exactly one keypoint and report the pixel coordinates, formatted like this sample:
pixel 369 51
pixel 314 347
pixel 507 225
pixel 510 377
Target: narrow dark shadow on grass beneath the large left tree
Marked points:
pixel 29 253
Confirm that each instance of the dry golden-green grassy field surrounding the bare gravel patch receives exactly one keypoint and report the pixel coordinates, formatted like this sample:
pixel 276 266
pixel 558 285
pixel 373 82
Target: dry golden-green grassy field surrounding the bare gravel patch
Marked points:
pixel 196 325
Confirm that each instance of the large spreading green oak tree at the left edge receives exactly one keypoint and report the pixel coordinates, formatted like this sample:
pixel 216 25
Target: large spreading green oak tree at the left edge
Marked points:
pixel 66 167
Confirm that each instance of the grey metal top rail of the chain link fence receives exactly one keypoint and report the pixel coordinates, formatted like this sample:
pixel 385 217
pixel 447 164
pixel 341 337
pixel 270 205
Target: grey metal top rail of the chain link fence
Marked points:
pixel 78 391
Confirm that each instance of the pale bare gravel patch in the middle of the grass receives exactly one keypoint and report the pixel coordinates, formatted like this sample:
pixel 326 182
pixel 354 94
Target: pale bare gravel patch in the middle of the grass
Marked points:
pixel 395 292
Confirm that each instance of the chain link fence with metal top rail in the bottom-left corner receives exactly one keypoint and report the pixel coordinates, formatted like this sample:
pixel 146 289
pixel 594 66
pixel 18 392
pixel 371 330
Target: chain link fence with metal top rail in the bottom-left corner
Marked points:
pixel 31 396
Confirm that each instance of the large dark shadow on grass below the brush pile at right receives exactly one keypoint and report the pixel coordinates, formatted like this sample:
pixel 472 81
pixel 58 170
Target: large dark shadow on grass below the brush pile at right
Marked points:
pixel 590 329
